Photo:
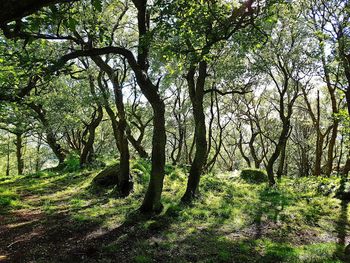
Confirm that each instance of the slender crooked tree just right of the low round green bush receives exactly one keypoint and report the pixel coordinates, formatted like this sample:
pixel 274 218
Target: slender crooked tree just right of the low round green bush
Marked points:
pixel 287 69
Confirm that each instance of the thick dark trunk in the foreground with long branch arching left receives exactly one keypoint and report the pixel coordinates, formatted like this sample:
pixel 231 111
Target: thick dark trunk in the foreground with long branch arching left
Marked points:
pixel 140 66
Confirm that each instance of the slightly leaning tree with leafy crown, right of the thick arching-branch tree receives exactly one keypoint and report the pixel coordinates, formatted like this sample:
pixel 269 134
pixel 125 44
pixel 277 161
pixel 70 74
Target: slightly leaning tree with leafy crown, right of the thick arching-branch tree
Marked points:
pixel 197 42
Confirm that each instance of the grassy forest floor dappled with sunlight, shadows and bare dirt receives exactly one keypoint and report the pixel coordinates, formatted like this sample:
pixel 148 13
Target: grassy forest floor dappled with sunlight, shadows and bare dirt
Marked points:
pixel 59 217
